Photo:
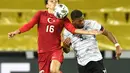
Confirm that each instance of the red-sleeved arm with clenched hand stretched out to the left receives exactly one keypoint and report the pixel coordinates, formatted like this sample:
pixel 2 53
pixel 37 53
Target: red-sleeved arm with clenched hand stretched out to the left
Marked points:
pixel 27 26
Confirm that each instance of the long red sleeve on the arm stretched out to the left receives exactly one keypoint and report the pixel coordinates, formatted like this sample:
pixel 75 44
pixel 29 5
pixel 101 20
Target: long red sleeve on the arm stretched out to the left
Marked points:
pixel 31 23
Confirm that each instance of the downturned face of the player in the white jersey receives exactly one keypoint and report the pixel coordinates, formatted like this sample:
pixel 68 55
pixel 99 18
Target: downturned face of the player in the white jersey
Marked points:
pixel 78 23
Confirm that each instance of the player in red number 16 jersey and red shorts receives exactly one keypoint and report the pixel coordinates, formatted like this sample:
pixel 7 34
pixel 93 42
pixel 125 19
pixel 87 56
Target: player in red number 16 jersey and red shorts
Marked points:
pixel 50 55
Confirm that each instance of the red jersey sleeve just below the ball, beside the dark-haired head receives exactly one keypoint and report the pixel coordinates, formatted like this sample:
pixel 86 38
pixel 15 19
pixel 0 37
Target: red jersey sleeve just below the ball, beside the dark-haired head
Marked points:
pixel 68 25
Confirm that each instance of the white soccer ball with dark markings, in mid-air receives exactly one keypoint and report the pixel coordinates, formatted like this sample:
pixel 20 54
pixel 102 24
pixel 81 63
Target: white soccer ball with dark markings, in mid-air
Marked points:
pixel 61 11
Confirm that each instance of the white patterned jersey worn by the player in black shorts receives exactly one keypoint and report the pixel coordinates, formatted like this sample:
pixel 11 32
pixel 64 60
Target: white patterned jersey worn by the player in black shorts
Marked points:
pixel 85 46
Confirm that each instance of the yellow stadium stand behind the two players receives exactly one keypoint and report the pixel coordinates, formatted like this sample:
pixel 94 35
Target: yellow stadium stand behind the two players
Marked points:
pixel 115 19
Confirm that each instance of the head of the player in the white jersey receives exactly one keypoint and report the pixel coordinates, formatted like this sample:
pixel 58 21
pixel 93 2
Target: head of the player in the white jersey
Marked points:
pixel 77 18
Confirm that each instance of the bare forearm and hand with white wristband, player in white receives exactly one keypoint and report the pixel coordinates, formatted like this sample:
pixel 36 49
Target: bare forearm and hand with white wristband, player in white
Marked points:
pixel 113 39
